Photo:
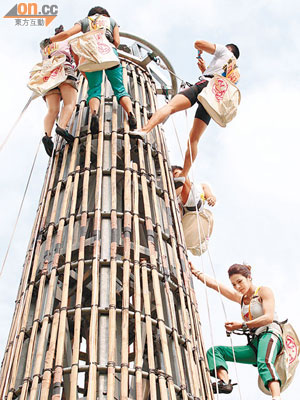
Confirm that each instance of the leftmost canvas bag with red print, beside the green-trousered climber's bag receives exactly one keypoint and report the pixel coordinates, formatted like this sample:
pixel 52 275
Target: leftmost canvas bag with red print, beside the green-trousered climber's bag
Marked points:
pixel 47 75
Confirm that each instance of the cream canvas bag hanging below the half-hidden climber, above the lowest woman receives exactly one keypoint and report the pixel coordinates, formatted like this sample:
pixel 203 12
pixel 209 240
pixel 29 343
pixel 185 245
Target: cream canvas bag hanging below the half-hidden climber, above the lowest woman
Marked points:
pixel 197 244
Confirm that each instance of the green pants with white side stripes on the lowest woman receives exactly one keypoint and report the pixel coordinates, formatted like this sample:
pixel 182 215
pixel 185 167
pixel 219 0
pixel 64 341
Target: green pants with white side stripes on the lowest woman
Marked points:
pixel 262 353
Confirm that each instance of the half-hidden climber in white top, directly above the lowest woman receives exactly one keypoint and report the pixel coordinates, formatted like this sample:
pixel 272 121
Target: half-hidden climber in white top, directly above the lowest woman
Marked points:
pixel 192 197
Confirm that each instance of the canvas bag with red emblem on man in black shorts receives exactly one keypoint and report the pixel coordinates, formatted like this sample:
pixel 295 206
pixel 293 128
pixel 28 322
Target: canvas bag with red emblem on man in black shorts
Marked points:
pixel 220 98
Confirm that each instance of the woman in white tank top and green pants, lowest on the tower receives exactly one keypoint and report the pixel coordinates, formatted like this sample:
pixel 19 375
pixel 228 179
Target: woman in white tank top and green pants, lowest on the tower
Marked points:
pixel 259 316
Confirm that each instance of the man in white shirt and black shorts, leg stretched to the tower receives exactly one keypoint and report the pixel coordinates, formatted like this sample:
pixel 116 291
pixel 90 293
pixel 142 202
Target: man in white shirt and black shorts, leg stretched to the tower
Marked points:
pixel 223 56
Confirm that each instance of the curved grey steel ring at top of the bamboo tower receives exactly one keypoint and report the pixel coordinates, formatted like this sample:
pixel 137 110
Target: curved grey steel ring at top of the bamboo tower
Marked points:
pixel 144 62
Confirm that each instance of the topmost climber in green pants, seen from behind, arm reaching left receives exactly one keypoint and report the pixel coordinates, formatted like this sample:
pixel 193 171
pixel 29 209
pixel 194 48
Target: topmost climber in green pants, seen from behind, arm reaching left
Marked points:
pixel 97 18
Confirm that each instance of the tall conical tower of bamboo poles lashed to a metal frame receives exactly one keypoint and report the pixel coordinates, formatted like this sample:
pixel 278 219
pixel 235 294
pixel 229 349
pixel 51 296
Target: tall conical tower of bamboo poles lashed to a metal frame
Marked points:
pixel 106 307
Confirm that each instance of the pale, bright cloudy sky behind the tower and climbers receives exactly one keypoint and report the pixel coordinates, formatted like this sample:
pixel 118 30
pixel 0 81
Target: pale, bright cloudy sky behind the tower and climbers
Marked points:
pixel 252 164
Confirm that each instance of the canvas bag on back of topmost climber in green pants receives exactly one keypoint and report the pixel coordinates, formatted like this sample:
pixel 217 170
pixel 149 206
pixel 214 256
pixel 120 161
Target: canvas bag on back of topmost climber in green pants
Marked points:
pixel 95 52
